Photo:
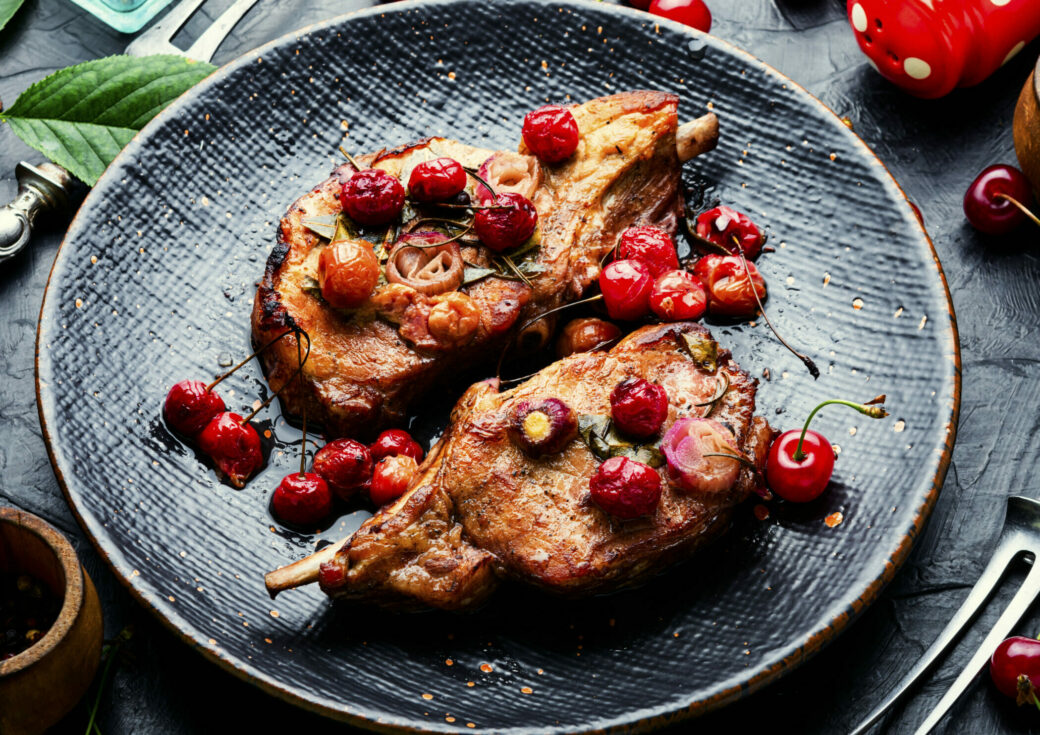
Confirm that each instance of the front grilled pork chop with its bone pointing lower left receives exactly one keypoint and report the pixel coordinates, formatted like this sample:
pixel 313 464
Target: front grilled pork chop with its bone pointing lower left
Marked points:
pixel 482 510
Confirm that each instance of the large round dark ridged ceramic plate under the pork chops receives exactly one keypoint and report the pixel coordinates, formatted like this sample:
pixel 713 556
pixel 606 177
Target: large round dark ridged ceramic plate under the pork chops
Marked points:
pixel 155 281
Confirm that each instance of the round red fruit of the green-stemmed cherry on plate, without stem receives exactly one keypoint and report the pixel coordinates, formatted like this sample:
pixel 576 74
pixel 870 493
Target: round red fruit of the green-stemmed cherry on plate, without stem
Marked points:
pixel 800 481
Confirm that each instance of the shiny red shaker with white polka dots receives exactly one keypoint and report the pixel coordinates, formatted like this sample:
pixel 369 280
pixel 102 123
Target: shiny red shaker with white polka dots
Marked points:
pixel 930 47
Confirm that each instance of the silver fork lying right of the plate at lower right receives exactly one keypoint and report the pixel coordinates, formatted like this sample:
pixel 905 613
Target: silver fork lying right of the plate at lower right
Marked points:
pixel 1020 537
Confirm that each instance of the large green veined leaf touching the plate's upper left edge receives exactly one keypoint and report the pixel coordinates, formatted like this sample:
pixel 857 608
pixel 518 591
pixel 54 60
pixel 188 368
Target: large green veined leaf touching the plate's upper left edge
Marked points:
pixel 82 117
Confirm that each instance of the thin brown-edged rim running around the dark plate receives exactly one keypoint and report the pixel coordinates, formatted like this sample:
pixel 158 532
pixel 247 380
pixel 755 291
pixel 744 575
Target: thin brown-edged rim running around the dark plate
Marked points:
pixel 642 721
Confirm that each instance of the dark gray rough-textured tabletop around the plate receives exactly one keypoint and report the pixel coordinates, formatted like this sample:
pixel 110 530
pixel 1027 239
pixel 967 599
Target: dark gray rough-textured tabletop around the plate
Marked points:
pixel 933 149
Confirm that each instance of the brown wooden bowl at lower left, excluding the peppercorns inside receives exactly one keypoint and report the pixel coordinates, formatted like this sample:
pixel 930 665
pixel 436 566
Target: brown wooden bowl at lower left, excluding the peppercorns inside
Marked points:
pixel 40 686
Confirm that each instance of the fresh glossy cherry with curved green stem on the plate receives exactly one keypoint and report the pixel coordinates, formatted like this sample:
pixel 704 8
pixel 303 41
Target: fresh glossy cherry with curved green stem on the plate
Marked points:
pixel 801 463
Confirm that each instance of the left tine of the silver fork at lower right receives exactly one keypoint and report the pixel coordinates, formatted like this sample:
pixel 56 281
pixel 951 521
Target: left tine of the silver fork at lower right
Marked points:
pixel 970 609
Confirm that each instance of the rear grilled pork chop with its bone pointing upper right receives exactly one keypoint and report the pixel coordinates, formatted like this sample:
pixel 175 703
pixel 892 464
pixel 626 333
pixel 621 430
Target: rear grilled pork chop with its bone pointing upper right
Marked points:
pixel 367 369
